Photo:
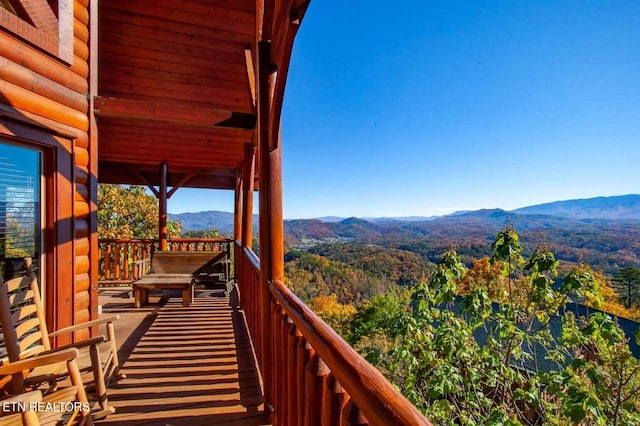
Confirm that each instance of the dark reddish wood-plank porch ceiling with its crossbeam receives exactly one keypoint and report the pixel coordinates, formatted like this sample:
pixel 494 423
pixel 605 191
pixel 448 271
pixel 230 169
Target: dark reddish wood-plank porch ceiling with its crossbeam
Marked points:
pixel 175 86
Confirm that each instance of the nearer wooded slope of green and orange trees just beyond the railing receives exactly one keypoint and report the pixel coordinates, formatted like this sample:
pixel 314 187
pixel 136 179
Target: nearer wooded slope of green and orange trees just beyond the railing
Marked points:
pixel 486 343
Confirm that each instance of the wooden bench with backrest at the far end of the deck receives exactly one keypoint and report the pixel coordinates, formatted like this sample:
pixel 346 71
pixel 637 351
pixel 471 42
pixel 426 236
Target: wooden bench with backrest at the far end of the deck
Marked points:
pixel 173 270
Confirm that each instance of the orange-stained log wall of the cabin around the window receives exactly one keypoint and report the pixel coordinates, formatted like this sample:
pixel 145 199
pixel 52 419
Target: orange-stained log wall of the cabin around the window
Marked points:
pixel 44 91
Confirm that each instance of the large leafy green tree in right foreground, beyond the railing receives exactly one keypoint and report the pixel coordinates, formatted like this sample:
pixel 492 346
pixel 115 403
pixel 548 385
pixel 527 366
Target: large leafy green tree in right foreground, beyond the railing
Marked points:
pixel 468 360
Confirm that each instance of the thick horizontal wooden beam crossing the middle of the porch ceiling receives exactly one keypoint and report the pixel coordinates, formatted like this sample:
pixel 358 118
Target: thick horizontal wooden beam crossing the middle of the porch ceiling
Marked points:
pixel 171 113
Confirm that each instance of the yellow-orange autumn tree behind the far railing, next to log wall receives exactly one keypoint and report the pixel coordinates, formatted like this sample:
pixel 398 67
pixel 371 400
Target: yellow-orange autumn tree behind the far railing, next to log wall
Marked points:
pixel 129 212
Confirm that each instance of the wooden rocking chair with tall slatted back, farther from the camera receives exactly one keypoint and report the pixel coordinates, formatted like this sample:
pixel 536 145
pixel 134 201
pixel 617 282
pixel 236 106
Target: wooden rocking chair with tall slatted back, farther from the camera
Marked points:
pixel 26 335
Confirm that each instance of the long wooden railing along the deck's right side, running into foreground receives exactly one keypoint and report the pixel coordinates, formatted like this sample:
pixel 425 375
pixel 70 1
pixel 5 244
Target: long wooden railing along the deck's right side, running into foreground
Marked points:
pixel 314 376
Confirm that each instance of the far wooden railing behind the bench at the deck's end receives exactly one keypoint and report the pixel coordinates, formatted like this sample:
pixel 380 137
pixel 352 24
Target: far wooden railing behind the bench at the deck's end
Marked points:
pixel 118 257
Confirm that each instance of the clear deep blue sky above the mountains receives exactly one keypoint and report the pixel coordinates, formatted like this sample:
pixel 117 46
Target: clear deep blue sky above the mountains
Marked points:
pixel 431 107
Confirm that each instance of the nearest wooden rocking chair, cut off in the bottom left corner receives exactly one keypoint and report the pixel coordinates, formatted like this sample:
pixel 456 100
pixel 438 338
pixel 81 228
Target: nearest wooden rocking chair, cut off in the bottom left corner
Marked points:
pixel 68 405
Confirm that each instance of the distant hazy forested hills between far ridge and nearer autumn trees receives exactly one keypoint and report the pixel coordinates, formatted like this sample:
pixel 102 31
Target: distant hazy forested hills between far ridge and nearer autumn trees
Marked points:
pixel 604 244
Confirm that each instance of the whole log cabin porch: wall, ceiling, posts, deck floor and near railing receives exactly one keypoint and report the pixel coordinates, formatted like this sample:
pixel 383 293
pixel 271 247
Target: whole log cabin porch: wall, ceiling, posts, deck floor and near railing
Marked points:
pixel 174 95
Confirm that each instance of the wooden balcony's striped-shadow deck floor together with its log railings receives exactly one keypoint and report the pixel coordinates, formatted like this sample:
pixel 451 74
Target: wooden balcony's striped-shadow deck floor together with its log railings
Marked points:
pixel 230 359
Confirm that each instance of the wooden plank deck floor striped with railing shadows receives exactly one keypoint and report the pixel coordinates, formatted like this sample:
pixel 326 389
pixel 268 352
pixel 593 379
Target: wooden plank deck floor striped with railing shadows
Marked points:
pixel 184 366
